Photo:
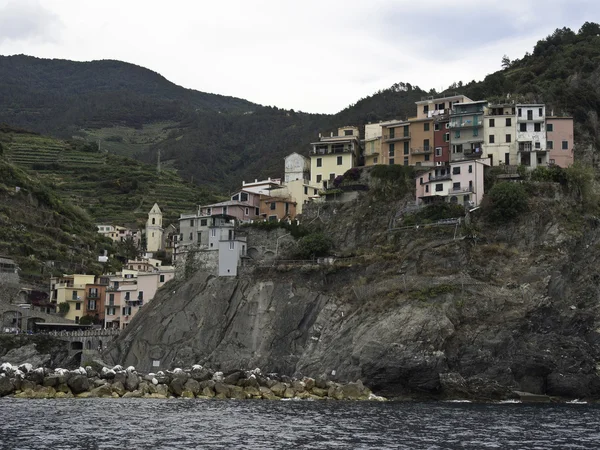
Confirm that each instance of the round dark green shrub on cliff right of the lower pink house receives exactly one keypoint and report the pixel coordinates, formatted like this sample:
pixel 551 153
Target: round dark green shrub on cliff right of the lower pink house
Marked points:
pixel 505 201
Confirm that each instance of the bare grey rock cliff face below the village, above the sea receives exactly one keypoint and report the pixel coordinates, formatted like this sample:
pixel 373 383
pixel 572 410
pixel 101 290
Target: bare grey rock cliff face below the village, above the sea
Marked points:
pixel 475 311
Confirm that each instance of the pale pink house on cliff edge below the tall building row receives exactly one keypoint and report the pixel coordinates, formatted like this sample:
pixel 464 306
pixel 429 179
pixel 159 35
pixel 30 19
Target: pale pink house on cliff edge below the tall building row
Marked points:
pixel 461 182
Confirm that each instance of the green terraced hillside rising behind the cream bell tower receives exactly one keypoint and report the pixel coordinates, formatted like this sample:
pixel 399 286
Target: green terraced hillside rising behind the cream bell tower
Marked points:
pixel 112 189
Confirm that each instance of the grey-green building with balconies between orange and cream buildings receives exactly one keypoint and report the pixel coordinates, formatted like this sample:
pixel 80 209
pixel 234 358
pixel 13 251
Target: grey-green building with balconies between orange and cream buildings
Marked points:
pixel 466 125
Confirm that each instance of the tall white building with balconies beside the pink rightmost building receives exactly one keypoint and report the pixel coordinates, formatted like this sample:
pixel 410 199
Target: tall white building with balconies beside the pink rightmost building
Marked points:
pixel 531 135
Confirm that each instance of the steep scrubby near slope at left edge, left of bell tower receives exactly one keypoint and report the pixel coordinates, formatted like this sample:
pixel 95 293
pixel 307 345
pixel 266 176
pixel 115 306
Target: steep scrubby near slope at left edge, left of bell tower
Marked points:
pixel 36 226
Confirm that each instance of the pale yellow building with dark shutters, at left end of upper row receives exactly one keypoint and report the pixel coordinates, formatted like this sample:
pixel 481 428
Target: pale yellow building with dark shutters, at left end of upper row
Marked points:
pixel 333 156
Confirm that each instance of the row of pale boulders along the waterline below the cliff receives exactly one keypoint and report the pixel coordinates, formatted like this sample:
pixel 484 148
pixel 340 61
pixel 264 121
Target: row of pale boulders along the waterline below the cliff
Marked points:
pixel 25 381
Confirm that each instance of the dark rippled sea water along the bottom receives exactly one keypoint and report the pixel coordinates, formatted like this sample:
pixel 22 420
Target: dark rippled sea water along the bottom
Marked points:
pixel 229 424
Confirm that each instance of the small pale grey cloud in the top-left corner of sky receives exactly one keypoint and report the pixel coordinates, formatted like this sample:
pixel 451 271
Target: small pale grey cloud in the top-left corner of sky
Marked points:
pixel 27 20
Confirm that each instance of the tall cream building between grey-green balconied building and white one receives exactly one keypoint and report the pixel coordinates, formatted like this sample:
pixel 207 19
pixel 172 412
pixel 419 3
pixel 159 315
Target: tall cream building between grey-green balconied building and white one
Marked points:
pixel 500 129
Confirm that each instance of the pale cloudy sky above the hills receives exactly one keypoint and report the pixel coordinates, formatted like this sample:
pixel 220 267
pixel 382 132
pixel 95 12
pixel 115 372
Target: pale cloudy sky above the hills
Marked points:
pixel 309 55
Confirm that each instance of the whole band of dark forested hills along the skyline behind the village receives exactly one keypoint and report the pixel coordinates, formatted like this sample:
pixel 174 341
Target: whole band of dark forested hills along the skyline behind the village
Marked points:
pixel 220 141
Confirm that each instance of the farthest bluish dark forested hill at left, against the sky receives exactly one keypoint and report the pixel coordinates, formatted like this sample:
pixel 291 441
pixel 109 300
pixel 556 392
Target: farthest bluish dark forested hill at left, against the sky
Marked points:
pixel 60 96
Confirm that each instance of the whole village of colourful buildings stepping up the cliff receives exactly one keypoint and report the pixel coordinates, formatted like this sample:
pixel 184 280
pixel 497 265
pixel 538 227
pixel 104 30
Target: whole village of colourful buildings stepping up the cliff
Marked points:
pixel 450 143
